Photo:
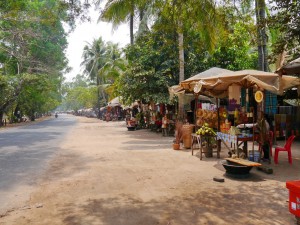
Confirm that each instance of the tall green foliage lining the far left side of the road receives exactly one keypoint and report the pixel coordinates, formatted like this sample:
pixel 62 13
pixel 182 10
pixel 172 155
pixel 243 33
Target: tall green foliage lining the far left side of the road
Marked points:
pixel 32 56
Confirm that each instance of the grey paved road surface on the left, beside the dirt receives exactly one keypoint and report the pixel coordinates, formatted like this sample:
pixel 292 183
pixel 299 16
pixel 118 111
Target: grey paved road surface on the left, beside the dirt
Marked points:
pixel 24 154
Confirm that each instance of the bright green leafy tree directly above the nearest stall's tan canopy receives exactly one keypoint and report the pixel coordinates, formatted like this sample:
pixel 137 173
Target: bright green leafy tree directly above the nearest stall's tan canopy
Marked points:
pixel 236 51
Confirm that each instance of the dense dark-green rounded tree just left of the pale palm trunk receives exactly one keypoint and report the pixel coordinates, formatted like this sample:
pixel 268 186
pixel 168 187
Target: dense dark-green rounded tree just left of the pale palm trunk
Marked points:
pixel 148 75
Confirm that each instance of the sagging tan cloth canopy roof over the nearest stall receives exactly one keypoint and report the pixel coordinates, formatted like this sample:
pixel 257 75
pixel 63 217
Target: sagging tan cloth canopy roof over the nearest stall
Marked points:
pixel 217 86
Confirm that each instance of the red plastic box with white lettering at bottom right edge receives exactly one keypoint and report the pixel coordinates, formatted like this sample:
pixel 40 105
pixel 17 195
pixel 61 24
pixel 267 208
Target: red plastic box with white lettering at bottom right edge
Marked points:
pixel 294 197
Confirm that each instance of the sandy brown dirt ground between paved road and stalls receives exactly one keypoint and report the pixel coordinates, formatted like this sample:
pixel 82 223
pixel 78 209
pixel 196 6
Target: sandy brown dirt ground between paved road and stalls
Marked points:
pixel 105 174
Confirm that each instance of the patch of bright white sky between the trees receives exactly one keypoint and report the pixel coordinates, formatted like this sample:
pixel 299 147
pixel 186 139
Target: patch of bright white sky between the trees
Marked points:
pixel 86 33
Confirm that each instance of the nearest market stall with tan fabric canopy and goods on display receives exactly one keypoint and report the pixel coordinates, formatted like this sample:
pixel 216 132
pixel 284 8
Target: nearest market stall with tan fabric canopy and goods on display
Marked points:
pixel 228 84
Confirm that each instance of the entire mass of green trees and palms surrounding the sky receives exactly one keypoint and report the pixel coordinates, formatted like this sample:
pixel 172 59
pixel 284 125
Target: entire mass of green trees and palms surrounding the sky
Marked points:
pixel 171 35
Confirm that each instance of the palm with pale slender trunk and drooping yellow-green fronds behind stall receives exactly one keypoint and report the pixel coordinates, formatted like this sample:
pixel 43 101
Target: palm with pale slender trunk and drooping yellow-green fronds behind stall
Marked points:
pixel 190 14
